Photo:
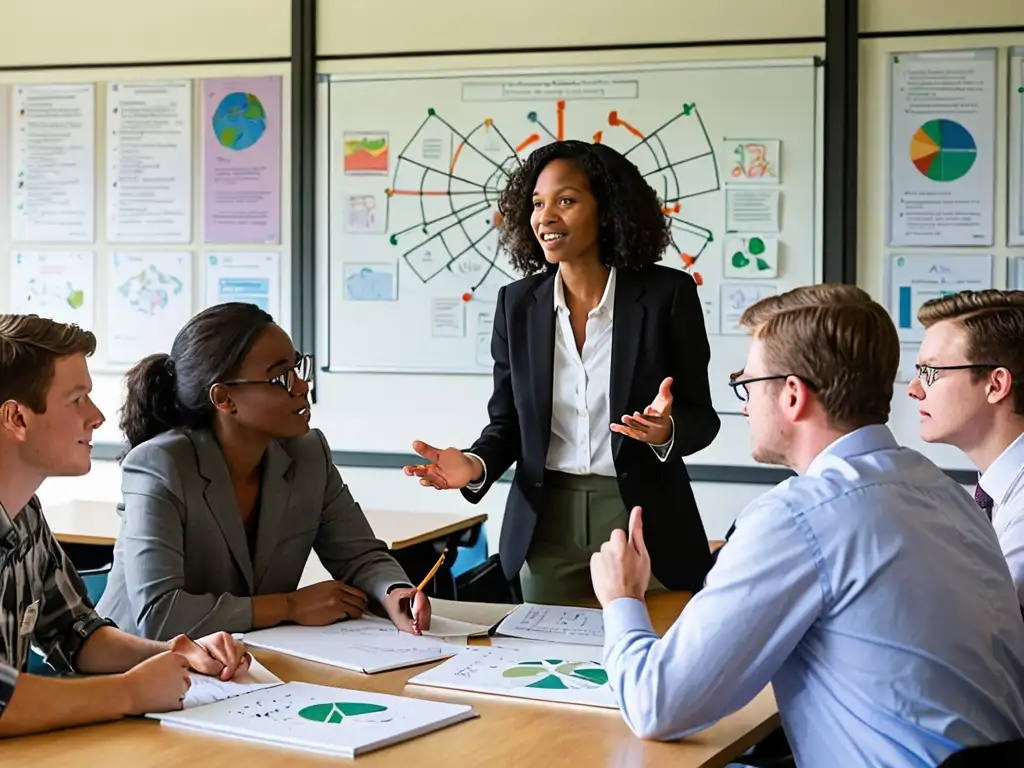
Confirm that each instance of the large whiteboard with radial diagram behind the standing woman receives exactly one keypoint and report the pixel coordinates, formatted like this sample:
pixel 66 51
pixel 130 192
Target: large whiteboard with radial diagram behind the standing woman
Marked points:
pixel 416 162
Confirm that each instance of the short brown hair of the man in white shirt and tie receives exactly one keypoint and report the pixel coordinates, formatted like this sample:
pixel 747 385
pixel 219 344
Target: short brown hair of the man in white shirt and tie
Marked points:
pixel 994 324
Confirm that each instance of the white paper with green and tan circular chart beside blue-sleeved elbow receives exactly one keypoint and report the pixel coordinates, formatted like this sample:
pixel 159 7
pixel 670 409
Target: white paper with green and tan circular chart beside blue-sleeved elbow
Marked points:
pixel 543 673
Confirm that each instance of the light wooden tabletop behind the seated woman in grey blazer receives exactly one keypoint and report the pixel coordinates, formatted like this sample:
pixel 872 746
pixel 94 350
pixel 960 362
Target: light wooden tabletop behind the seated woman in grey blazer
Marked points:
pixel 100 524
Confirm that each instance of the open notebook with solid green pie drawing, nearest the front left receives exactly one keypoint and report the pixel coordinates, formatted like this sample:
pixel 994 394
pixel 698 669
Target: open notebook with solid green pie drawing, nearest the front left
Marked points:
pixel 315 718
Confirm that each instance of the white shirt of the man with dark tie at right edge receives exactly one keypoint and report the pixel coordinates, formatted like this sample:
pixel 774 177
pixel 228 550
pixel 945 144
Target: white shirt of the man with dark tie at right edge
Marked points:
pixel 1005 483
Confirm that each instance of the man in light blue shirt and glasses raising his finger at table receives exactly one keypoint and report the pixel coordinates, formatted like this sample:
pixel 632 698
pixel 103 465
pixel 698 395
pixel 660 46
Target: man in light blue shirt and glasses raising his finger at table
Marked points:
pixel 868 590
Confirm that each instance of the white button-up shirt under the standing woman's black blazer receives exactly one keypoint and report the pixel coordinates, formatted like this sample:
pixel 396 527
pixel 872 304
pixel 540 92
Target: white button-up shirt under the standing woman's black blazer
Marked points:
pixel 581 393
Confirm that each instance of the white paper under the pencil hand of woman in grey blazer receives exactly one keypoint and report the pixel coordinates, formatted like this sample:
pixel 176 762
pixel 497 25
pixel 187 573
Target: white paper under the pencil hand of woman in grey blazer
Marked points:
pixel 366 646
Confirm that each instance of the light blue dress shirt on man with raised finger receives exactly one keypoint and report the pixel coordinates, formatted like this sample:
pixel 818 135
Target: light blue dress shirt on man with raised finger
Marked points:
pixel 871 592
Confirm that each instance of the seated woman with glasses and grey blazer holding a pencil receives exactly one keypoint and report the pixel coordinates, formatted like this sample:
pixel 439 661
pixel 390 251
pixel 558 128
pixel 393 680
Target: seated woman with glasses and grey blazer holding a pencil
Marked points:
pixel 228 491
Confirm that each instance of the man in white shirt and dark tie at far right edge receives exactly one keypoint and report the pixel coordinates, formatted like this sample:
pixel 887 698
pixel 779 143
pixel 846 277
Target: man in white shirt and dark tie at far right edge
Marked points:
pixel 970 394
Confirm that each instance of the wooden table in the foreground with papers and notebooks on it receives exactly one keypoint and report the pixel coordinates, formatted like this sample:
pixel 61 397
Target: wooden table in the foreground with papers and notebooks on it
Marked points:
pixel 507 732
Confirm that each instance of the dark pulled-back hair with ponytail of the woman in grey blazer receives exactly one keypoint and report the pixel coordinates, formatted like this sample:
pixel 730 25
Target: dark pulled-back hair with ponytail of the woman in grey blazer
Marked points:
pixel 167 392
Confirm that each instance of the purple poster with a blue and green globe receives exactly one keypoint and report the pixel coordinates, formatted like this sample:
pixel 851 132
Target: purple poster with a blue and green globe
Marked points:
pixel 242 135
